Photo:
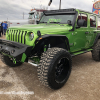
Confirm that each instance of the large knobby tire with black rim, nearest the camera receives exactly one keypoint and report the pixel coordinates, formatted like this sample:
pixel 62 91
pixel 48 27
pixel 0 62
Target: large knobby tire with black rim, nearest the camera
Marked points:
pixel 55 67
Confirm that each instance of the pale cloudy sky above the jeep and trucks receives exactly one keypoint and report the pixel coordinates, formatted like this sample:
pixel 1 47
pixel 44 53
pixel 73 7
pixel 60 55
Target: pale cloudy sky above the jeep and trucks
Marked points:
pixel 13 9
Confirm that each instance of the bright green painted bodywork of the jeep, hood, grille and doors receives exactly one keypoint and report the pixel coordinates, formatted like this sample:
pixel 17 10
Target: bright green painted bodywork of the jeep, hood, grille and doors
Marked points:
pixel 77 37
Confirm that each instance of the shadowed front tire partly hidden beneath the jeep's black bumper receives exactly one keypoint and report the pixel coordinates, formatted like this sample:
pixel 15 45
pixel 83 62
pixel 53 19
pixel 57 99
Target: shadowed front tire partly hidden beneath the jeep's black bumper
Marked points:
pixel 7 60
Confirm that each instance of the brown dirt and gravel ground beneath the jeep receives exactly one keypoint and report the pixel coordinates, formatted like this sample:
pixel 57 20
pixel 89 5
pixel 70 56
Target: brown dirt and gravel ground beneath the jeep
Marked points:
pixel 83 84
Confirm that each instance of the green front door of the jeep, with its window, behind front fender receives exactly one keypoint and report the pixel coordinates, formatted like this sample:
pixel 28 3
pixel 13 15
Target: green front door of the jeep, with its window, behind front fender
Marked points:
pixel 79 35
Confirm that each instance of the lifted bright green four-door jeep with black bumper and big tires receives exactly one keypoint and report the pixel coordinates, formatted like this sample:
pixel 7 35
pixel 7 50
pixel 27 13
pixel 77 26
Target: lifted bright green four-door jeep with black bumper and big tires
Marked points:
pixel 51 44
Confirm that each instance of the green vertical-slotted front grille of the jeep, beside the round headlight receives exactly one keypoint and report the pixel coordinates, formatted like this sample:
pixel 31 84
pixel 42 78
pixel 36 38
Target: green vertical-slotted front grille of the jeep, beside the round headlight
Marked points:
pixel 17 36
